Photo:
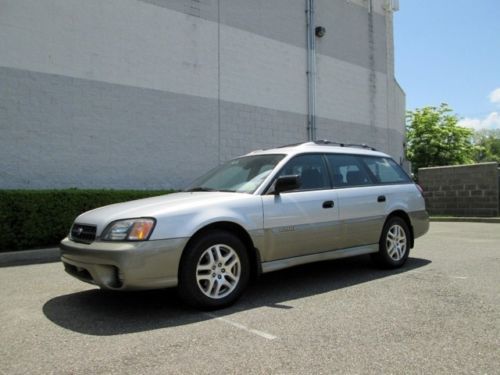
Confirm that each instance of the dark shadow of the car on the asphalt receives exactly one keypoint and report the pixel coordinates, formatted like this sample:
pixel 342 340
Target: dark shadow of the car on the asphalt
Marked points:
pixel 105 313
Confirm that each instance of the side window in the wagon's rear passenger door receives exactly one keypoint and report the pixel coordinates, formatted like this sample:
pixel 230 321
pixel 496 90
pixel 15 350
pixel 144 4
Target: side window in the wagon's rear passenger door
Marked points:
pixel 347 171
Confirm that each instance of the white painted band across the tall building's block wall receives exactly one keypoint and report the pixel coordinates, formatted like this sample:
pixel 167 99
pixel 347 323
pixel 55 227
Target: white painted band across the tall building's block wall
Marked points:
pixel 135 43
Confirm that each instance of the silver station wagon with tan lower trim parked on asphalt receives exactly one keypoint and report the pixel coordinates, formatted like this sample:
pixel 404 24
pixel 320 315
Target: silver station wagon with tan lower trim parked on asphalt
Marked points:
pixel 262 212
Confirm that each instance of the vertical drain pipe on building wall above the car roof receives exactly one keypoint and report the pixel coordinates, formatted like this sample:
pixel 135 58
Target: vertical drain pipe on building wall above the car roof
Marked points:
pixel 311 71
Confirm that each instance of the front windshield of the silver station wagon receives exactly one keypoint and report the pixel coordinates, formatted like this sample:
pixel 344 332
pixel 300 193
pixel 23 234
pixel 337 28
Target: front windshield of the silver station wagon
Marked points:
pixel 242 175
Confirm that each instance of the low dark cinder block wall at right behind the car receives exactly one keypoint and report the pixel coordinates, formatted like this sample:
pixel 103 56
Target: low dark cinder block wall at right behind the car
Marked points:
pixel 463 190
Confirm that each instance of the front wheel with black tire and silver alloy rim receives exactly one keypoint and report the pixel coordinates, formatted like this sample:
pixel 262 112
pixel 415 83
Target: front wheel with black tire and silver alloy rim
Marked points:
pixel 214 270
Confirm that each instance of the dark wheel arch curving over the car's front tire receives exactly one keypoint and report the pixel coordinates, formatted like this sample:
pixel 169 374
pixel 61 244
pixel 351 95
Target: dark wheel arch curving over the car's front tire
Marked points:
pixel 241 233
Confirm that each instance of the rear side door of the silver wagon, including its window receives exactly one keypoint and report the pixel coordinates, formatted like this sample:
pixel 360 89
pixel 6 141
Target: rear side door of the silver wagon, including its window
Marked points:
pixel 361 201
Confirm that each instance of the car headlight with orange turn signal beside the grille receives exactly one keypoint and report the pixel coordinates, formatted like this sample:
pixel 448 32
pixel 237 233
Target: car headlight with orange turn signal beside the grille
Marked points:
pixel 129 230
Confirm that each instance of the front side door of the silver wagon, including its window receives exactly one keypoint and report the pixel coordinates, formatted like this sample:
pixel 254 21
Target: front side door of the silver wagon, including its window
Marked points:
pixel 303 221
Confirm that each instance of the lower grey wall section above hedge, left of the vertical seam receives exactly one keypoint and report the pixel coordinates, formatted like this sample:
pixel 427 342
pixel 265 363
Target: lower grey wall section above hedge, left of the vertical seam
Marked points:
pixel 59 132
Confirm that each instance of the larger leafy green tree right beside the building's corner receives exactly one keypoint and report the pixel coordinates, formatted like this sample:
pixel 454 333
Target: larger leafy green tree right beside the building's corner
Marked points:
pixel 435 139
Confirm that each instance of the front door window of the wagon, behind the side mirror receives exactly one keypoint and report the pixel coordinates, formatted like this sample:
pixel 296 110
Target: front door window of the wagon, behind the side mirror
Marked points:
pixel 311 169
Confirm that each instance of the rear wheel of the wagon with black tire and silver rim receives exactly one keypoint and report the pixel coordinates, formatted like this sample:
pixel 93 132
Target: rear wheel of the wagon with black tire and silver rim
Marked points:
pixel 394 244
